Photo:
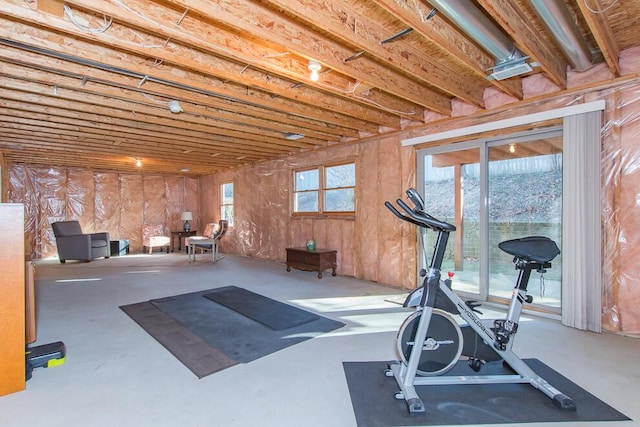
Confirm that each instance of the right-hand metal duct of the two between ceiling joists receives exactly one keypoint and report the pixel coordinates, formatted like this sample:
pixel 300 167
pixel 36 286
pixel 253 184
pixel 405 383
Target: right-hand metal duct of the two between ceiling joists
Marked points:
pixel 558 21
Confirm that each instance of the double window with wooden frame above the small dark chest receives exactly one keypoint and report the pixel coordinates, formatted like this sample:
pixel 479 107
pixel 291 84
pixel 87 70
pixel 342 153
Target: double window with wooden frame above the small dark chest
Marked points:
pixel 326 189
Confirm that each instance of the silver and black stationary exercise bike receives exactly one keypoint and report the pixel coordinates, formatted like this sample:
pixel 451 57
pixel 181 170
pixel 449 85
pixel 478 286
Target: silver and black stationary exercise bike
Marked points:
pixel 442 341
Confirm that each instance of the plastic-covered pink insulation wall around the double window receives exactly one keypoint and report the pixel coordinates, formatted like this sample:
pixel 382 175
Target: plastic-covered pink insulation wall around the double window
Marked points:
pixel 367 243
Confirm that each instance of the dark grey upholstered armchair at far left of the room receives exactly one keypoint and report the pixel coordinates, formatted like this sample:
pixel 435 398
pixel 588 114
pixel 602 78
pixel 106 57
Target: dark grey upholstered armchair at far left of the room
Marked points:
pixel 73 244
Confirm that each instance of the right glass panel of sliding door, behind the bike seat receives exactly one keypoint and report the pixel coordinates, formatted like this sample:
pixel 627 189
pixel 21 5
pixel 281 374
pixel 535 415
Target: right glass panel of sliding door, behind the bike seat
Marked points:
pixel 524 199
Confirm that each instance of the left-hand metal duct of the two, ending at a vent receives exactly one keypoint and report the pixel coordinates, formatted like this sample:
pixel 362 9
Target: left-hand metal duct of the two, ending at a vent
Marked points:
pixel 472 21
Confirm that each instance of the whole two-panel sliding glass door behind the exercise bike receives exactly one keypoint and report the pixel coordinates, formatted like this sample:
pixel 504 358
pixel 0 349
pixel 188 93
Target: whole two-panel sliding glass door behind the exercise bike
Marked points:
pixel 494 190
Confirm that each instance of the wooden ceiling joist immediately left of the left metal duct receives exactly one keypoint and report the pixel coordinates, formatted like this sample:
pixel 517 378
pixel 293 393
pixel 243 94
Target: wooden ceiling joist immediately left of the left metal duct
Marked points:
pixel 437 30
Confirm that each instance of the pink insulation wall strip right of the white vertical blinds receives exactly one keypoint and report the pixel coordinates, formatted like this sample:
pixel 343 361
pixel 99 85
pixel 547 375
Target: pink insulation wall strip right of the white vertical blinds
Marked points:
pixel 621 210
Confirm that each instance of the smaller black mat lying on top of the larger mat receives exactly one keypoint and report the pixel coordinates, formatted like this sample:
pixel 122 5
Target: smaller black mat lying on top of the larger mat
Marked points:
pixel 274 314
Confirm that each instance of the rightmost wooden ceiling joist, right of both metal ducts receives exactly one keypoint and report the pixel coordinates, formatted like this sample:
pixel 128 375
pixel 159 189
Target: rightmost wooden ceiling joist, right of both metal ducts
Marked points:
pixel 602 32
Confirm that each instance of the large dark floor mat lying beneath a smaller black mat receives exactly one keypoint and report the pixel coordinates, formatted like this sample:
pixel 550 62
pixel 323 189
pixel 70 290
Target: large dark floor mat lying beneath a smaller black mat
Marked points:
pixel 208 337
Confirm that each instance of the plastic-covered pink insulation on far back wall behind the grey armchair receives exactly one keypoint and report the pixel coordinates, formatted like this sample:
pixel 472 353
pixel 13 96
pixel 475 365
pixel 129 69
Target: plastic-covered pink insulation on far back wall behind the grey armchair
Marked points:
pixel 117 203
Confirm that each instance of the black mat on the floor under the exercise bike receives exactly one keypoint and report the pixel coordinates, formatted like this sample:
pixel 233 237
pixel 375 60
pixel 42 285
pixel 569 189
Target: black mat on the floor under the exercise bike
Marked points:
pixel 374 404
